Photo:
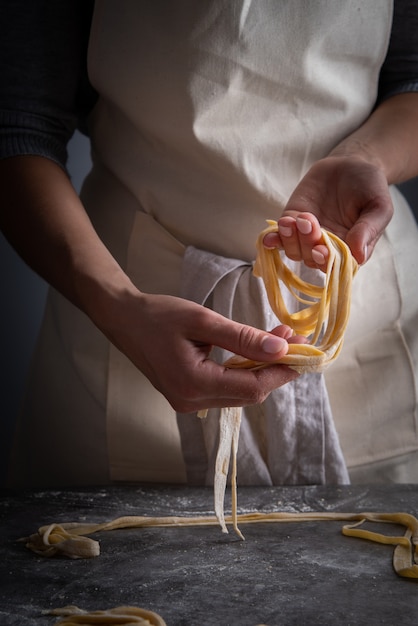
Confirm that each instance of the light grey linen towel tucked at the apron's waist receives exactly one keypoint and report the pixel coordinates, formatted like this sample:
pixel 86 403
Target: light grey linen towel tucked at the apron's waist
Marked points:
pixel 290 438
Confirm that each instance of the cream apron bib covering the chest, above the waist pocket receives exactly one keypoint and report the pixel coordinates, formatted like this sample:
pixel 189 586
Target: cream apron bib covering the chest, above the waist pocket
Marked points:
pixel 211 112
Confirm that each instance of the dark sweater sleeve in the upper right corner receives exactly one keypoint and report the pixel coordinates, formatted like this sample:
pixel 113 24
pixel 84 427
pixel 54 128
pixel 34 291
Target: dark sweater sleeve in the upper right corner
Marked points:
pixel 399 73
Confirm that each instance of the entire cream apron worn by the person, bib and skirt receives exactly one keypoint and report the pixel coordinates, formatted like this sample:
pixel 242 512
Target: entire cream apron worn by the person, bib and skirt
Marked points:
pixel 209 115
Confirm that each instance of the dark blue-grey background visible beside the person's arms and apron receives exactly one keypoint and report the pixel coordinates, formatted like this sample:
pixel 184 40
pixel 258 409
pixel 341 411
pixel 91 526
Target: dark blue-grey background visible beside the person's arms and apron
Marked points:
pixel 22 303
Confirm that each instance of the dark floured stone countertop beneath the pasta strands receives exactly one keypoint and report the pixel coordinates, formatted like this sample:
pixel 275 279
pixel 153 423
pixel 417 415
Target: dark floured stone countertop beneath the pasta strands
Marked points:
pixel 282 574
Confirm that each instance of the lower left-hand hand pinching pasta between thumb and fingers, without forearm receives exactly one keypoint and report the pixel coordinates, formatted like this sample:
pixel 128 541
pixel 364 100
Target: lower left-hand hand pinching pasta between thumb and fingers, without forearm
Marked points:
pixel 170 340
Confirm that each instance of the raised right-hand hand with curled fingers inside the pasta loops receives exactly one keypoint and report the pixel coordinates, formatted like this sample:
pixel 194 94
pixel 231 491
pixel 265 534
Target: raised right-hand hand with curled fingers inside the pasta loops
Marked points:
pixel 347 195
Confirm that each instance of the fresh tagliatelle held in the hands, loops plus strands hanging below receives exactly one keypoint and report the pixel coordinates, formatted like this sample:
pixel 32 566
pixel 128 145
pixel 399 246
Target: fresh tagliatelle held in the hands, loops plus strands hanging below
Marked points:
pixel 323 319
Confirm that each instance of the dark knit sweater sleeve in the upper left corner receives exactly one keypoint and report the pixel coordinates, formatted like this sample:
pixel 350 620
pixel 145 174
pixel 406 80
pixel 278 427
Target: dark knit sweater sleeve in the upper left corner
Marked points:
pixel 43 51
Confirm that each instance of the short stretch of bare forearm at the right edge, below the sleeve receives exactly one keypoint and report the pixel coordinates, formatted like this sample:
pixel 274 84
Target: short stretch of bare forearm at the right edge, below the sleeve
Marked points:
pixel 388 138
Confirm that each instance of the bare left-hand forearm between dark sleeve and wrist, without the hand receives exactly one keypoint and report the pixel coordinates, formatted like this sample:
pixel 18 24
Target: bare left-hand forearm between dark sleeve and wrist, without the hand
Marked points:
pixel 45 221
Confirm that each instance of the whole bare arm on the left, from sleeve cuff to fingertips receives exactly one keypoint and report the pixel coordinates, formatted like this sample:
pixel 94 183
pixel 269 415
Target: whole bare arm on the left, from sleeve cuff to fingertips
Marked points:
pixel 168 339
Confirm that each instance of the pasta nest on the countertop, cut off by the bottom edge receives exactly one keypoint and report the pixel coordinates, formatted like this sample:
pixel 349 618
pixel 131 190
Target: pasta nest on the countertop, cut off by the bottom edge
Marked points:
pixel 129 615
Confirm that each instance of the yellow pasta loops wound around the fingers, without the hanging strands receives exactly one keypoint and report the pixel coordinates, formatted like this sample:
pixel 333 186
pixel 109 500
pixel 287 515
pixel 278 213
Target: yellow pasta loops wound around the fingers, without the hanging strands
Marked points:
pixel 324 317
